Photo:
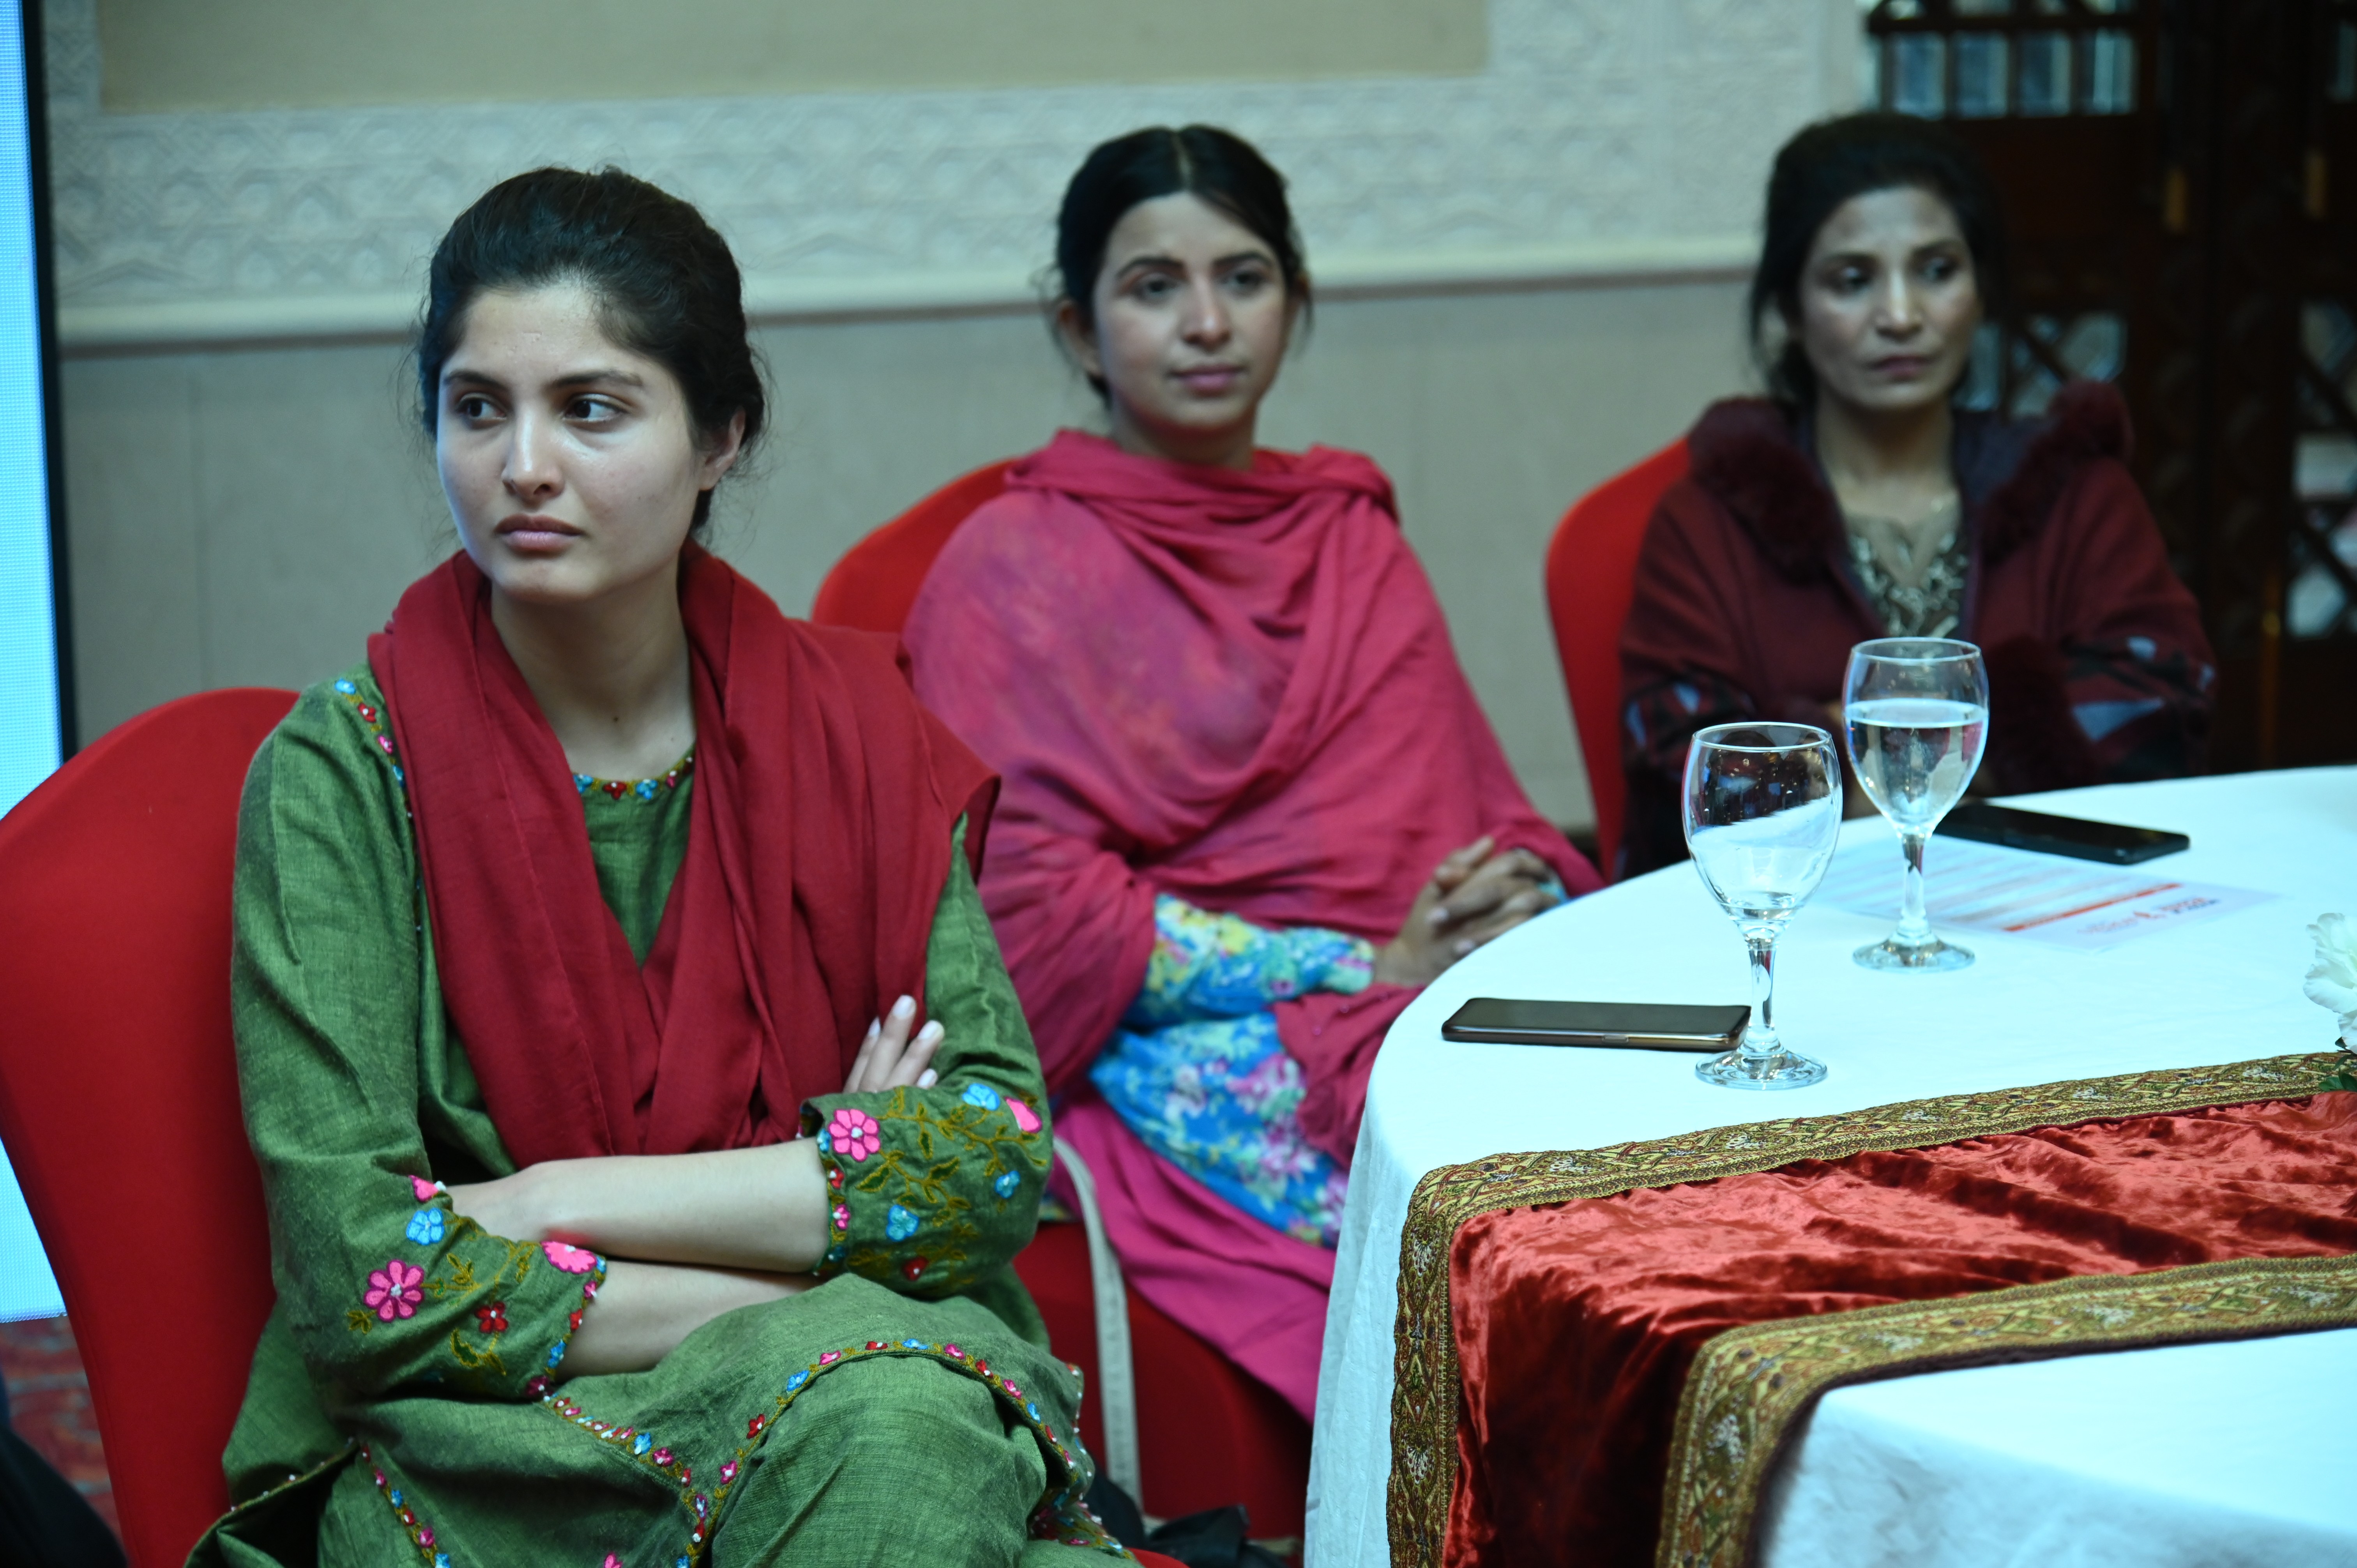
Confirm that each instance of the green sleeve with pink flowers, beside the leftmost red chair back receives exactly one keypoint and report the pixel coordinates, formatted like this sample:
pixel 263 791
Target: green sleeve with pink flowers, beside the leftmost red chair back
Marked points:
pixel 378 1282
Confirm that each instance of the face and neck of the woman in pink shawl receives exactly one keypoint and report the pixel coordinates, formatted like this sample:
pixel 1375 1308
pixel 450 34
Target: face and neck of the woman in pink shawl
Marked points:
pixel 1191 327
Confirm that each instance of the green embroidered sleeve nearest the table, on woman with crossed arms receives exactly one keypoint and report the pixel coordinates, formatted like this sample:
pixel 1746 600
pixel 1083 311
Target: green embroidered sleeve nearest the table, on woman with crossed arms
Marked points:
pixel 939 1190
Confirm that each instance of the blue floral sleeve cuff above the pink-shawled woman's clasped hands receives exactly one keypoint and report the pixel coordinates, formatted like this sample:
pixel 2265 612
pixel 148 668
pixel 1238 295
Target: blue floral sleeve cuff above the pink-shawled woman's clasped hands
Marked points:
pixel 1227 968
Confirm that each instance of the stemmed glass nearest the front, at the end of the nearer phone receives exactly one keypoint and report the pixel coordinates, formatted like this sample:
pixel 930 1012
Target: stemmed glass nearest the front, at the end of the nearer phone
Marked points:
pixel 1762 812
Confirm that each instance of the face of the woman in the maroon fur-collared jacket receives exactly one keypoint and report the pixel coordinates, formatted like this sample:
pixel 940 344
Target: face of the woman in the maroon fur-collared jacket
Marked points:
pixel 1889 303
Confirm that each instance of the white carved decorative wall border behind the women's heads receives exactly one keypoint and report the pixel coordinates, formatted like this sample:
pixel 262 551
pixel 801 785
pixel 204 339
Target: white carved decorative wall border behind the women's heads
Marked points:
pixel 1606 140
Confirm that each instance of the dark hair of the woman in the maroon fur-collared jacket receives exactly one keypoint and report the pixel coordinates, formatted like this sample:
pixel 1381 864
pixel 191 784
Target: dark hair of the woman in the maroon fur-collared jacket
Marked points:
pixel 1830 164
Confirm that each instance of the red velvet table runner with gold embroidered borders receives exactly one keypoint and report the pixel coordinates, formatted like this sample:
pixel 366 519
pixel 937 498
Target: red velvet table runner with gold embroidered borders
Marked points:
pixel 1554 1305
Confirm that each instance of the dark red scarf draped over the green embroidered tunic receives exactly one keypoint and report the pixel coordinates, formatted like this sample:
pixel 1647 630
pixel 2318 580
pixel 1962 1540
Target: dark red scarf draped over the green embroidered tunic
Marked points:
pixel 819 841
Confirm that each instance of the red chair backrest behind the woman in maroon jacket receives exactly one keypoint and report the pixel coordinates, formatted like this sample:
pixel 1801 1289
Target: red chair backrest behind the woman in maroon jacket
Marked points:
pixel 1590 581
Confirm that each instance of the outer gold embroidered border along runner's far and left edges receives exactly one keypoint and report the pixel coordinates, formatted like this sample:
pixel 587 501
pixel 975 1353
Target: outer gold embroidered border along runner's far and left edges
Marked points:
pixel 1425 1345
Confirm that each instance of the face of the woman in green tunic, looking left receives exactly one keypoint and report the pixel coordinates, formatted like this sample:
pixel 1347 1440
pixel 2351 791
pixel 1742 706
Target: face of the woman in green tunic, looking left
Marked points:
pixel 569 461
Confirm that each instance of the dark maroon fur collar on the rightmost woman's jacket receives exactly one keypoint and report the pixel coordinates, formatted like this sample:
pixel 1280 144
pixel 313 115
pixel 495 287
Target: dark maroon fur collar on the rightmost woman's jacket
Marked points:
pixel 1750 456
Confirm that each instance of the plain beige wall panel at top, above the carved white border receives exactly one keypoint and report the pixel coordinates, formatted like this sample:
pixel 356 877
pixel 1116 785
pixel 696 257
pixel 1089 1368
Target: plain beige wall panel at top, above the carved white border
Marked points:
pixel 166 55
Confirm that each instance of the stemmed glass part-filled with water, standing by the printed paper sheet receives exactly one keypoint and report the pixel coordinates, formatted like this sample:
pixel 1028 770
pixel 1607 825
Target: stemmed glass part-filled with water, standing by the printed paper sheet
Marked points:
pixel 1917 711
